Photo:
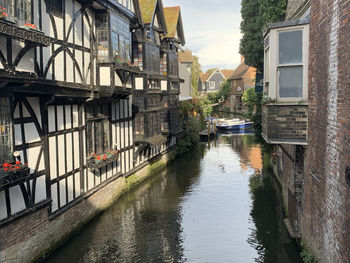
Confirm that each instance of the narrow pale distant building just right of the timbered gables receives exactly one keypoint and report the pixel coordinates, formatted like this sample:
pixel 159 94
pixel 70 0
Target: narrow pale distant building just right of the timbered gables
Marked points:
pixel 185 72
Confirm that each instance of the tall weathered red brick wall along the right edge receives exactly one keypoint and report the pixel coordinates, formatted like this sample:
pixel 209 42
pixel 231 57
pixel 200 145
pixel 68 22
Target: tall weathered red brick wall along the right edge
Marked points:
pixel 326 215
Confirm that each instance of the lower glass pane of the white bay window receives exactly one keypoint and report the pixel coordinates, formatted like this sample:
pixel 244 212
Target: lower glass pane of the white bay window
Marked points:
pixel 291 82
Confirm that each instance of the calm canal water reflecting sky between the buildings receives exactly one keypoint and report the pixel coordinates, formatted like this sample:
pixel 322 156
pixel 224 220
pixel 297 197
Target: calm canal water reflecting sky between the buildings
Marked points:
pixel 215 204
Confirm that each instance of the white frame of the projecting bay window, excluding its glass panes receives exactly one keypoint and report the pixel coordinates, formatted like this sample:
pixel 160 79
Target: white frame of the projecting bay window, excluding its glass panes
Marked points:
pixel 271 78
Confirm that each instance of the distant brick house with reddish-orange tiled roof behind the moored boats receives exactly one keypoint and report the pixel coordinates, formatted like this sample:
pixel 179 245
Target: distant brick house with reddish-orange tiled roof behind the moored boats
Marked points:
pixel 242 79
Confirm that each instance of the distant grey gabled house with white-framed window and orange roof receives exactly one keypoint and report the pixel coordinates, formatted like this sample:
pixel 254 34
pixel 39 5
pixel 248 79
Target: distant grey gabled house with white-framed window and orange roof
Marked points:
pixel 212 80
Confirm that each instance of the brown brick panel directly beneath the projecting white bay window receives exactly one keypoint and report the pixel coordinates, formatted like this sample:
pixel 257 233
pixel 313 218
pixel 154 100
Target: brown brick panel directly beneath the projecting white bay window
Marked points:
pixel 285 123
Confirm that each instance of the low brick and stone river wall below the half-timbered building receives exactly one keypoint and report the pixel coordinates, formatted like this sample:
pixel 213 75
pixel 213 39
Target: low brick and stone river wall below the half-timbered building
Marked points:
pixel 36 235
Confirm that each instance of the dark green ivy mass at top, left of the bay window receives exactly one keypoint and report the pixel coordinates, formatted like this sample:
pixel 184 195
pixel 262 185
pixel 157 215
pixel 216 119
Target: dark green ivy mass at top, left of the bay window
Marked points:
pixel 256 16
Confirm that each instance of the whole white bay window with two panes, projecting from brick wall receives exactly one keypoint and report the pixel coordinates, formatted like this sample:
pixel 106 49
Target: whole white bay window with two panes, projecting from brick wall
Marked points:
pixel 286 63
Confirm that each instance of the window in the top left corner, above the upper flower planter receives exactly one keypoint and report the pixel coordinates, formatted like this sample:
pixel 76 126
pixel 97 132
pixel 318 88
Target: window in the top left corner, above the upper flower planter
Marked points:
pixel 17 10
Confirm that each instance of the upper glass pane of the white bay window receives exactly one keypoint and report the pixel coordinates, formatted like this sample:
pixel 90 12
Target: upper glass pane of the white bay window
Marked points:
pixel 291 47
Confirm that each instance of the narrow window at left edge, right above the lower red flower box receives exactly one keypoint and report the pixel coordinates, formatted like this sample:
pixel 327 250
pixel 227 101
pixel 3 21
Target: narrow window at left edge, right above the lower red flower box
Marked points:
pixel 5 131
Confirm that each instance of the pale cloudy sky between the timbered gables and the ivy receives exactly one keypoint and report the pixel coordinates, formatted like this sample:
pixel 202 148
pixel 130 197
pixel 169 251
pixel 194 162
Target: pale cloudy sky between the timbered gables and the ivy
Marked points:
pixel 212 30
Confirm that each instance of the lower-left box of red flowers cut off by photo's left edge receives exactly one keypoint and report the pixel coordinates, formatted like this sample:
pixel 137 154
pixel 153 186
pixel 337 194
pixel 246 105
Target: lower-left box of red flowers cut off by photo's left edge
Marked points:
pixel 11 174
